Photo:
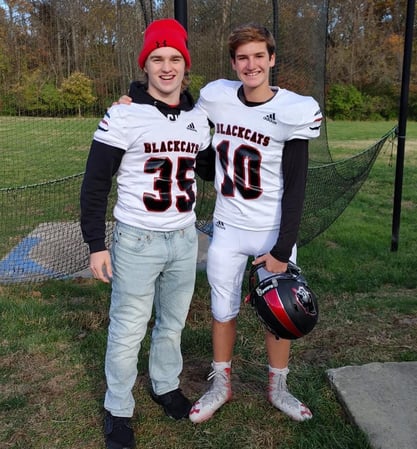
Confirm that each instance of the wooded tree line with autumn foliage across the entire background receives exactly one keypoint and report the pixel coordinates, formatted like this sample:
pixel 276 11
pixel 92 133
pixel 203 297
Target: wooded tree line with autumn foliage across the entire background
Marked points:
pixel 44 44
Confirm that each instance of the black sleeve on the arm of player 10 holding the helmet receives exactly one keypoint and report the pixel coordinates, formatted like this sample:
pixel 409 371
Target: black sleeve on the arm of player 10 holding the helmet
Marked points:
pixel 294 170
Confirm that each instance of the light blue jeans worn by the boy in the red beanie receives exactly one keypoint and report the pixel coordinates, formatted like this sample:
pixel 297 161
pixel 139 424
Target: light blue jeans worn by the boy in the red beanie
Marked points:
pixel 149 269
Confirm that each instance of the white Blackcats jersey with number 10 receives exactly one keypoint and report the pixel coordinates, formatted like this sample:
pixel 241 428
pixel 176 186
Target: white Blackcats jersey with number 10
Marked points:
pixel 249 142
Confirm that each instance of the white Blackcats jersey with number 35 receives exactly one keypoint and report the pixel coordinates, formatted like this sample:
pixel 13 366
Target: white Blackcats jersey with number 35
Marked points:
pixel 156 188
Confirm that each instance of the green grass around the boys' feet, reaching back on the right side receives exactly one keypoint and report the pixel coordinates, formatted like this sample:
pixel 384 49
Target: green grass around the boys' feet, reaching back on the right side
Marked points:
pixel 53 336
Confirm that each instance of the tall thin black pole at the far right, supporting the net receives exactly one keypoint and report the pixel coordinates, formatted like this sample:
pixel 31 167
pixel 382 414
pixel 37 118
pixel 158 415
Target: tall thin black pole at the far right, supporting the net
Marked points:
pixel 402 124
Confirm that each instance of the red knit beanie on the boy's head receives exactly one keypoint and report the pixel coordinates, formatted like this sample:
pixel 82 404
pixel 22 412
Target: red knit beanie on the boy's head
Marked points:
pixel 164 33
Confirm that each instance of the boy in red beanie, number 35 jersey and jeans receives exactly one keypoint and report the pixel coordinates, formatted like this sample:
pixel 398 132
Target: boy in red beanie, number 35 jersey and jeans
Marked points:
pixel 151 146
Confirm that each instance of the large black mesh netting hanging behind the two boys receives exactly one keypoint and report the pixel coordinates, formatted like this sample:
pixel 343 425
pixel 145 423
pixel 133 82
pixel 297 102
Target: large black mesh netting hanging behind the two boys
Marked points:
pixel 44 140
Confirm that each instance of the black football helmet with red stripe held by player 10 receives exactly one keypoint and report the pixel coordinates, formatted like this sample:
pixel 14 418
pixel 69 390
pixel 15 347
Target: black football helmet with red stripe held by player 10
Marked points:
pixel 283 302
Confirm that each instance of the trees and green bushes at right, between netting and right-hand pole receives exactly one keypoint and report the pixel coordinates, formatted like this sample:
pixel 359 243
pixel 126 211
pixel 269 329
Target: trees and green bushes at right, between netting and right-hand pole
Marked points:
pixel 365 51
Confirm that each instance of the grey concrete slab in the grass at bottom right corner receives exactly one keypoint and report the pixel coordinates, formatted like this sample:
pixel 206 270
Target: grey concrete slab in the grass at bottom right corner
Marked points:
pixel 381 399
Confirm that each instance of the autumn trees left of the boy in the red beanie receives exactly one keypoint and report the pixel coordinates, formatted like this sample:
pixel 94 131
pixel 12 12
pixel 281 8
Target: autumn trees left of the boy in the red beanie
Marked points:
pixel 44 42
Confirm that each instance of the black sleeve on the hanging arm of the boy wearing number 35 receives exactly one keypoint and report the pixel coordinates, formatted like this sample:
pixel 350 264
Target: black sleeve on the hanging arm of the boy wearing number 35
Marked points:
pixel 102 163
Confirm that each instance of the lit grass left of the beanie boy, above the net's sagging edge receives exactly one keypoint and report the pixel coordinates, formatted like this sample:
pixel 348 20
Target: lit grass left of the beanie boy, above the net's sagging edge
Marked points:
pixel 36 150
